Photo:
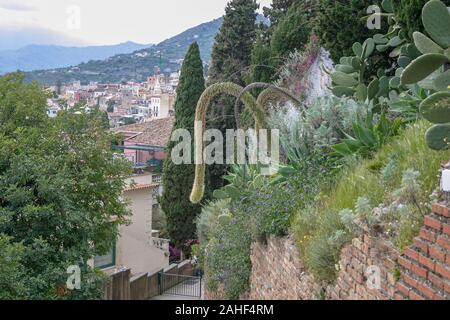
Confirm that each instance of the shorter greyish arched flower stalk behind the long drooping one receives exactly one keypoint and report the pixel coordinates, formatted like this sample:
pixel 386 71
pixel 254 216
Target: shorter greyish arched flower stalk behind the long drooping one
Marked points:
pixel 271 92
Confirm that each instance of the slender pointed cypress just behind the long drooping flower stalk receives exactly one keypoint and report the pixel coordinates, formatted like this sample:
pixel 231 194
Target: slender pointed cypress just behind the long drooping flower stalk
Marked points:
pixel 178 179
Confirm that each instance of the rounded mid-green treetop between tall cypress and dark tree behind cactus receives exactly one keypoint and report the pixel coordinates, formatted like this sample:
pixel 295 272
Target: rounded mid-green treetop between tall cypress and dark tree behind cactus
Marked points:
pixel 293 30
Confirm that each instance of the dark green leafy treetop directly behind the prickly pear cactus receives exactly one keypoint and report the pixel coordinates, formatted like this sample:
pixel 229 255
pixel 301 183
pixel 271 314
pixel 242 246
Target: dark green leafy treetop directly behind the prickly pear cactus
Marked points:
pixel 340 23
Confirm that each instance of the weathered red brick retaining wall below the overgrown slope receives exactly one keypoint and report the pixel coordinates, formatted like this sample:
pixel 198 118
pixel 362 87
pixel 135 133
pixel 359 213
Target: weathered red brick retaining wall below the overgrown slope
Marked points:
pixel 421 271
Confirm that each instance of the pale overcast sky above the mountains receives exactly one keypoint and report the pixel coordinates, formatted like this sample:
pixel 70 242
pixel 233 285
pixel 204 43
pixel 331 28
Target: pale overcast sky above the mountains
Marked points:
pixel 110 21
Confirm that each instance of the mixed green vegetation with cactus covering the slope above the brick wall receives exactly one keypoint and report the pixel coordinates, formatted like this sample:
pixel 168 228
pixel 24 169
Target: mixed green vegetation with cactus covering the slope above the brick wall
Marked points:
pixel 352 161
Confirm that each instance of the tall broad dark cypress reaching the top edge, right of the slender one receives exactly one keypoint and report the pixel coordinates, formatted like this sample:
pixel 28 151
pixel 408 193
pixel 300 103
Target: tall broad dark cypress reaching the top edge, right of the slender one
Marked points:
pixel 231 58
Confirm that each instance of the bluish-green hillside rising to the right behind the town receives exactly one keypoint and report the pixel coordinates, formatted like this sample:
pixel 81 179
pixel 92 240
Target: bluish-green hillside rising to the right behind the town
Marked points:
pixel 139 64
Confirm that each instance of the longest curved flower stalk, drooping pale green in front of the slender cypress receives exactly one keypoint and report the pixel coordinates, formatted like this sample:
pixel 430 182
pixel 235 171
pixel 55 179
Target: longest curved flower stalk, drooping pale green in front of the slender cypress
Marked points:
pixel 204 102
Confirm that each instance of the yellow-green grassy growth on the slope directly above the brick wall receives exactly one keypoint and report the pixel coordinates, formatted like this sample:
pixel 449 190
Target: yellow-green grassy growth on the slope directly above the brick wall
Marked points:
pixel 383 185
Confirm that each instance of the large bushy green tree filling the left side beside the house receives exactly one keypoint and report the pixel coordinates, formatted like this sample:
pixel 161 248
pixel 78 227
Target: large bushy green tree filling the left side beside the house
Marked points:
pixel 60 191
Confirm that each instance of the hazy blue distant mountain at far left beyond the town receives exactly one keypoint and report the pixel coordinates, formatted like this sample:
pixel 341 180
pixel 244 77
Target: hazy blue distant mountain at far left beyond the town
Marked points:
pixel 39 57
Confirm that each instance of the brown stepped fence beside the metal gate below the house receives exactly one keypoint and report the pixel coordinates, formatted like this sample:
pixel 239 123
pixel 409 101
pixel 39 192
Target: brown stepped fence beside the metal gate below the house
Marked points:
pixel 121 286
